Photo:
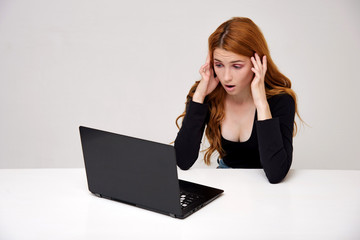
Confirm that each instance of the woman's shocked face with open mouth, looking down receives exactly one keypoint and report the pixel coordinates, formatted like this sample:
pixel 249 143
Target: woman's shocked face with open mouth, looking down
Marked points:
pixel 233 71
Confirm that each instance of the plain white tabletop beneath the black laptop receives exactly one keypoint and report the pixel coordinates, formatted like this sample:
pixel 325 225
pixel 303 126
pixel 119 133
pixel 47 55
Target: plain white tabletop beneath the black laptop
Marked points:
pixel 309 204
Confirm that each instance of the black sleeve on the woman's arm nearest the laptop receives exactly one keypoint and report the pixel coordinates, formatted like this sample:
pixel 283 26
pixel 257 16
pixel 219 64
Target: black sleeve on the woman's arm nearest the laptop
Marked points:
pixel 188 140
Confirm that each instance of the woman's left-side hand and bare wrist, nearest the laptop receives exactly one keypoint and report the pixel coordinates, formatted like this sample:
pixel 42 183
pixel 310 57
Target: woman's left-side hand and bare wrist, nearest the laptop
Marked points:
pixel 207 83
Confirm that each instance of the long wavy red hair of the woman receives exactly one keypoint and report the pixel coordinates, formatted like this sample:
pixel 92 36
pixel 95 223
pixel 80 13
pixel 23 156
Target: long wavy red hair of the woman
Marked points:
pixel 241 36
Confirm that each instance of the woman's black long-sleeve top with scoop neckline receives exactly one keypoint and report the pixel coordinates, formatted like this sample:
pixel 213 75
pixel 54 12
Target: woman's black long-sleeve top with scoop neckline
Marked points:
pixel 269 146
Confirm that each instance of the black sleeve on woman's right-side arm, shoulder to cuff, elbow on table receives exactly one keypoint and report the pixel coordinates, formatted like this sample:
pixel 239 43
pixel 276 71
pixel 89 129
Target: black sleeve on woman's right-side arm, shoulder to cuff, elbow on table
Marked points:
pixel 275 138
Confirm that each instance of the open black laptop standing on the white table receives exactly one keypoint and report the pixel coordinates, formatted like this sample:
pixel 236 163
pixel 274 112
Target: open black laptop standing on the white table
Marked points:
pixel 141 173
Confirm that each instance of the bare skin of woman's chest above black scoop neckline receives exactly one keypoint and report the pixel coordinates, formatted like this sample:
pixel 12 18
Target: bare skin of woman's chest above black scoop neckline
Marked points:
pixel 238 122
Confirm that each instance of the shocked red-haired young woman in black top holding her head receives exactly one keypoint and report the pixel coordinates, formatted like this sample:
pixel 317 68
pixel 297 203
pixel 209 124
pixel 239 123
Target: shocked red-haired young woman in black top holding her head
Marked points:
pixel 244 104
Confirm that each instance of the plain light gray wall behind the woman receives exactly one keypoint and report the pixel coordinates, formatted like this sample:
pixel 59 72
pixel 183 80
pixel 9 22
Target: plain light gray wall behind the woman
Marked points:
pixel 126 67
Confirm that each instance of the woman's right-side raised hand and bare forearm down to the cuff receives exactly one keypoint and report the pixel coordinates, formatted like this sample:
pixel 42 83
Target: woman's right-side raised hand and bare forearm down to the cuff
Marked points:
pixel 258 87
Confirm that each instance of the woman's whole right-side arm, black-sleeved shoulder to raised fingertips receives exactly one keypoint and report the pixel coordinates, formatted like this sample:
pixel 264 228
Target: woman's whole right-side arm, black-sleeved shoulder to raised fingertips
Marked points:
pixel 274 126
